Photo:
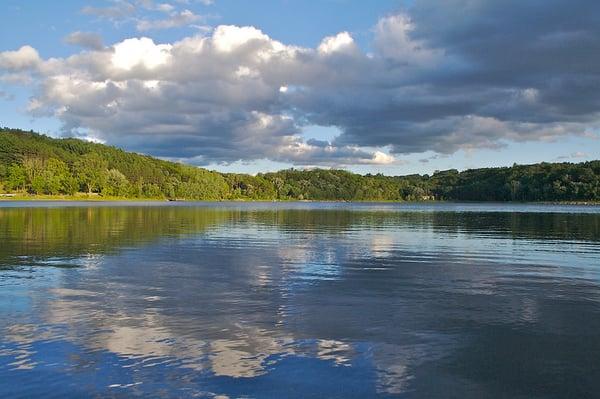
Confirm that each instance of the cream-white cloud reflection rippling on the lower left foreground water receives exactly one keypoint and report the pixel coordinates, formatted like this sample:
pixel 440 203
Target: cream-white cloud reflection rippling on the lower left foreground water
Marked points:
pixel 240 350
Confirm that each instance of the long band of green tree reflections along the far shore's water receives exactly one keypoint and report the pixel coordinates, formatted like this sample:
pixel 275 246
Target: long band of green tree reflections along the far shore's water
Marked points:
pixel 76 230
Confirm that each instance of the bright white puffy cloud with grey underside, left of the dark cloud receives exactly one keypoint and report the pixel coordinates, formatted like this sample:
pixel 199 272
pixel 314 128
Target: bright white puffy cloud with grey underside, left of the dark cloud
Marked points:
pixel 205 99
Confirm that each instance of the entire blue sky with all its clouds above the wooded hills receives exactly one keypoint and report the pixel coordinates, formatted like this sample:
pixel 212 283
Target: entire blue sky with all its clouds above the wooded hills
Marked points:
pixel 386 86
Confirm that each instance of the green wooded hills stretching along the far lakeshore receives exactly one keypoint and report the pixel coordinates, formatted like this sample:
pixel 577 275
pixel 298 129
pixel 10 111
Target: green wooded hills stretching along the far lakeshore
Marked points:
pixel 34 164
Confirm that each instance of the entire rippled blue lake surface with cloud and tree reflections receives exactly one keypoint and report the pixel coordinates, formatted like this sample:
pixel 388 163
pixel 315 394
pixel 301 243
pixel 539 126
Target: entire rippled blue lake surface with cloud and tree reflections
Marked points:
pixel 299 300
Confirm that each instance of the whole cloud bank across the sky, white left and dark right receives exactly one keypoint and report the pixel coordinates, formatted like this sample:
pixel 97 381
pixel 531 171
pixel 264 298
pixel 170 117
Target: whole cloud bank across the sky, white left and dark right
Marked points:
pixel 440 77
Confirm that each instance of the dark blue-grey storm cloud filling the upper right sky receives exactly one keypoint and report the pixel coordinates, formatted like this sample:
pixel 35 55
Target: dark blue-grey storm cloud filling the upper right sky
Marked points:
pixel 489 71
